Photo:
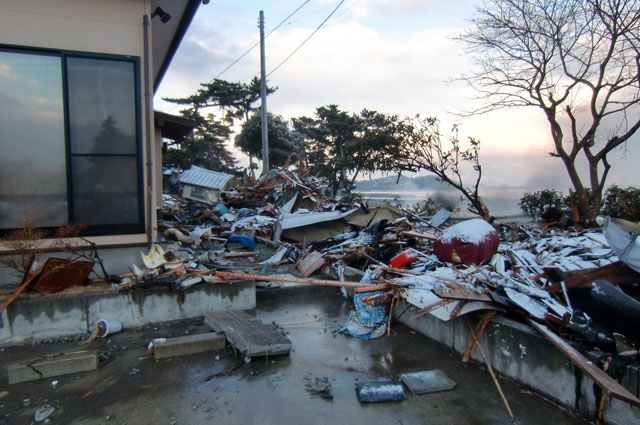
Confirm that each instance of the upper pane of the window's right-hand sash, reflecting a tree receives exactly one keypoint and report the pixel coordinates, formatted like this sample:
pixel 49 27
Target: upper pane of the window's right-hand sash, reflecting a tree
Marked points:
pixel 102 110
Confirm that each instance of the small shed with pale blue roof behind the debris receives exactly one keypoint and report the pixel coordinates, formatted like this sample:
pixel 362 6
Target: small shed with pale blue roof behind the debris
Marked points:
pixel 203 185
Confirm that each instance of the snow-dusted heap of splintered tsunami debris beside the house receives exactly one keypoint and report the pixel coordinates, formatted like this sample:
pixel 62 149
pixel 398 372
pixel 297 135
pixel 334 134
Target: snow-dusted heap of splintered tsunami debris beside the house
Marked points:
pixel 580 284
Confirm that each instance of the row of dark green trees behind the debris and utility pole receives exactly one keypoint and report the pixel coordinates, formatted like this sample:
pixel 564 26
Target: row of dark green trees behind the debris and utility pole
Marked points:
pixel 335 144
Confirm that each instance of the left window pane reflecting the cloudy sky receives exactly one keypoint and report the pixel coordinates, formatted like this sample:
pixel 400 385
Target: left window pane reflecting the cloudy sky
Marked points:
pixel 32 164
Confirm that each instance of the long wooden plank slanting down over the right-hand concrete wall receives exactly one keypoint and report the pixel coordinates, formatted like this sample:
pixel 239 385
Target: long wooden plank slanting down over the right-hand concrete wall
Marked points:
pixel 599 377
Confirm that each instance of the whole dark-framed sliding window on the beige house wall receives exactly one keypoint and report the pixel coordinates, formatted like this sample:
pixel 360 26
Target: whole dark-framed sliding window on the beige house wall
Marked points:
pixel 70 141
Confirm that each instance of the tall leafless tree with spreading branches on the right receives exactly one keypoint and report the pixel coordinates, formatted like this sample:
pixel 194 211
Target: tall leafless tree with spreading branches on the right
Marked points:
pixel 576 60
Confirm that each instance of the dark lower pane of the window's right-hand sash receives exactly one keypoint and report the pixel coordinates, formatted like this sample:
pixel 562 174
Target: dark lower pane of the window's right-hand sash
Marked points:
pixel 105 190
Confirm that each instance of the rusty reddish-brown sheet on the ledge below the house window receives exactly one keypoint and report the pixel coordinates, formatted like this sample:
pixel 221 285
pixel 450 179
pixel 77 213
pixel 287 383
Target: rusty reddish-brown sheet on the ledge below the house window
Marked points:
pixel 59 274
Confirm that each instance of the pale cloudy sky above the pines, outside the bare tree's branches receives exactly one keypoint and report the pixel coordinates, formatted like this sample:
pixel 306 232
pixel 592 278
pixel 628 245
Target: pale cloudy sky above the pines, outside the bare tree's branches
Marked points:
pixel 392 56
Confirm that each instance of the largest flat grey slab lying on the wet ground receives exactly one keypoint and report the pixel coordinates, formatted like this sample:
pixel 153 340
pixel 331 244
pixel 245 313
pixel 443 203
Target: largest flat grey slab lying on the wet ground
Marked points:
pixel 248 334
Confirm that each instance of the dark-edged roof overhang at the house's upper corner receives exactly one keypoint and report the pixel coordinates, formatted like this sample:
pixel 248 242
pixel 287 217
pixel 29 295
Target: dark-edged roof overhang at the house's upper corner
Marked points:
pixel 166 36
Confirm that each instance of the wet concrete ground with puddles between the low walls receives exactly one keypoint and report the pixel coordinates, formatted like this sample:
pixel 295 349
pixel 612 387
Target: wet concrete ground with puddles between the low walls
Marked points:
pixel 219 388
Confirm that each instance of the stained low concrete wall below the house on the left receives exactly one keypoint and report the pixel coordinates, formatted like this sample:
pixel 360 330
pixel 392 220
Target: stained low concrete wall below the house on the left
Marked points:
pixel 26 321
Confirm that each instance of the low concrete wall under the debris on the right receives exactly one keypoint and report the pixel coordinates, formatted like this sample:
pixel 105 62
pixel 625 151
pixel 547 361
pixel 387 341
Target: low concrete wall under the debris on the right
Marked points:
pixel 519 353
